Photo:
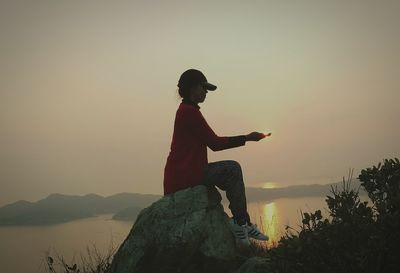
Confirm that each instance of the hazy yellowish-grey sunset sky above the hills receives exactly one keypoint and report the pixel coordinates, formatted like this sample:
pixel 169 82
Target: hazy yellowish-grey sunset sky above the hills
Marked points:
pixel 88 89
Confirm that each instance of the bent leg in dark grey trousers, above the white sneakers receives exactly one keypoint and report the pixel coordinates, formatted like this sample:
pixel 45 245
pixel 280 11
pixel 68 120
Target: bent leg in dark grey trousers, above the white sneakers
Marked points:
pixel 227 175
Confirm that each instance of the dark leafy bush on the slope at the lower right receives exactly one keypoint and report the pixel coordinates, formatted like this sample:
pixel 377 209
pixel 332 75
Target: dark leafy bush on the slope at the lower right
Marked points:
pixel 356 237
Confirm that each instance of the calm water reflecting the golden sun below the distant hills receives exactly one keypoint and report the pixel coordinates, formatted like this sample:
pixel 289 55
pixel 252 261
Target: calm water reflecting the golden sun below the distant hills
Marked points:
pixel 23 248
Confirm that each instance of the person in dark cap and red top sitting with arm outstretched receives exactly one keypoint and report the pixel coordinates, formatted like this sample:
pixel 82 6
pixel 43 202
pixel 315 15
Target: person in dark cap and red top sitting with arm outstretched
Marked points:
pixel 187 164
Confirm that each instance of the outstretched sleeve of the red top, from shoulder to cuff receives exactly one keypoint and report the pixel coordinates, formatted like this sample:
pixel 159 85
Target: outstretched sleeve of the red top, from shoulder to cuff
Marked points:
pixel 194 121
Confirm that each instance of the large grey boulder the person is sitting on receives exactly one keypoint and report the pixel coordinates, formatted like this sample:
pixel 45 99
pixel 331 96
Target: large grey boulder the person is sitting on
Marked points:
pixel 187 231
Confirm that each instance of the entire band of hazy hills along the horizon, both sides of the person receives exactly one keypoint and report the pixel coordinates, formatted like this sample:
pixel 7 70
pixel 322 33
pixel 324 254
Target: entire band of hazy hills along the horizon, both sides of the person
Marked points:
pixel 59 208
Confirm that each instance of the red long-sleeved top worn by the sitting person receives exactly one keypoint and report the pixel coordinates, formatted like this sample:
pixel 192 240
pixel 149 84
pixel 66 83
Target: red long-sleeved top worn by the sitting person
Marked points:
pixel 188 156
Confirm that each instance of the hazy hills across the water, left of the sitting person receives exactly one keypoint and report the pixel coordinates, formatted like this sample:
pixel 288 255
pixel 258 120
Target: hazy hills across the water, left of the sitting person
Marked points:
pixel 59 208
